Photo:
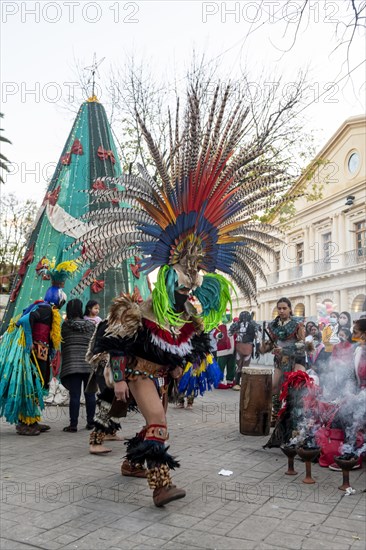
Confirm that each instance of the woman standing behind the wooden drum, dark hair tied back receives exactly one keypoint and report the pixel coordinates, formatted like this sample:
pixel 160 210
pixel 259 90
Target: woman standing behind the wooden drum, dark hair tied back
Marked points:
pixel 287 344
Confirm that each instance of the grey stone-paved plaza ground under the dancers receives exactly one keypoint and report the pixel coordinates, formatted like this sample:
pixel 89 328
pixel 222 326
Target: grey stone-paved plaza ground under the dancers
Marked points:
pixel 55 495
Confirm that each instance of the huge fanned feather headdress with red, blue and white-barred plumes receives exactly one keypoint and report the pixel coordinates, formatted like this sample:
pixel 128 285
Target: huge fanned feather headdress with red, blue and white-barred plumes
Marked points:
pixel 198 216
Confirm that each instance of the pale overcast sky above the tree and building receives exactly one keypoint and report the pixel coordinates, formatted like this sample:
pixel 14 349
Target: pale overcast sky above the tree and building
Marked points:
pixel 40 42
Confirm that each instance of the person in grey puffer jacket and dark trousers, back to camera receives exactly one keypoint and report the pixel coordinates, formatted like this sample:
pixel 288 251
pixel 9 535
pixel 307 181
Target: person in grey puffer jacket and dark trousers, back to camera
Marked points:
pixel 76 333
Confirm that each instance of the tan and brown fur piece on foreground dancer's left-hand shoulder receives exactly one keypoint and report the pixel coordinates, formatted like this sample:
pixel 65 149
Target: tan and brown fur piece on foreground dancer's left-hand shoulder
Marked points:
pixel 125 317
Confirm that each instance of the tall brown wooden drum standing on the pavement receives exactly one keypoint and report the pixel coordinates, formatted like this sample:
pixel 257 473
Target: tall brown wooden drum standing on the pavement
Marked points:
pixel 255 401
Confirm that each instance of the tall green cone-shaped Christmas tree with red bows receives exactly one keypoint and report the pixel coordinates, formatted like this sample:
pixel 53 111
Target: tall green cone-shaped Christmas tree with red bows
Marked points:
pixel 89 154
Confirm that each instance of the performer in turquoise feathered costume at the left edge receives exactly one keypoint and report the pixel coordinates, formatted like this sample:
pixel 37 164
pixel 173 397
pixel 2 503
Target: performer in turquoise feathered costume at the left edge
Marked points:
pixel 26 350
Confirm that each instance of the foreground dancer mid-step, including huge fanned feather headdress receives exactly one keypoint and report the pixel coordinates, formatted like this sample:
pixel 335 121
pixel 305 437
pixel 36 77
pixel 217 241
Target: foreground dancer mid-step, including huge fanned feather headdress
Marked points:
pixel 194 219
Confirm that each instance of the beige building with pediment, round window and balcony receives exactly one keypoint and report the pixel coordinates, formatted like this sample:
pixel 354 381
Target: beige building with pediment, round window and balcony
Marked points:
pixel 323 257
